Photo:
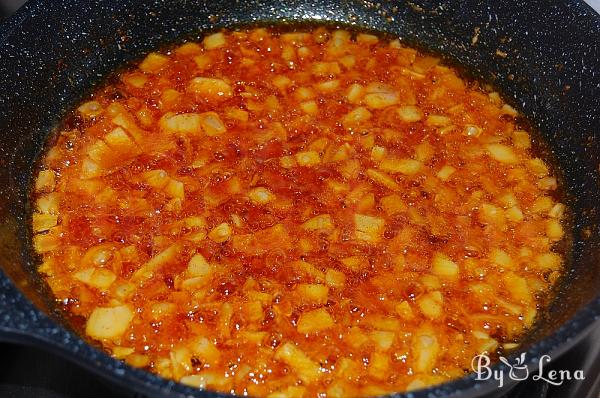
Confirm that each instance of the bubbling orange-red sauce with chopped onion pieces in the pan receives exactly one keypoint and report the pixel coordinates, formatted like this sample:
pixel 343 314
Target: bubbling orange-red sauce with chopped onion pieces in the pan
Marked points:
pixel 288 214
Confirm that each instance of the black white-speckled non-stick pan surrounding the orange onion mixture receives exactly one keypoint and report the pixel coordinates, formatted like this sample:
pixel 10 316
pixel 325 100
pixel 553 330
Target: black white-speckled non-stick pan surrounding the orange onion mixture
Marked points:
pixel 52 52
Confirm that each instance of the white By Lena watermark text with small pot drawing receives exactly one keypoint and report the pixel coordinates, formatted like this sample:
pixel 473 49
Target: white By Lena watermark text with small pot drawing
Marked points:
pixel 519 370
